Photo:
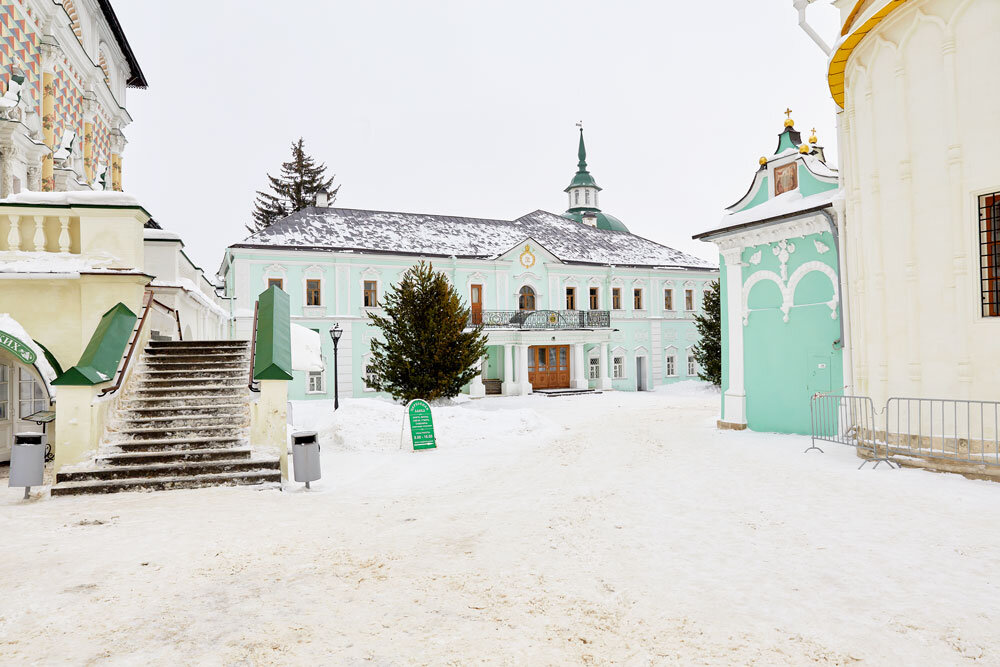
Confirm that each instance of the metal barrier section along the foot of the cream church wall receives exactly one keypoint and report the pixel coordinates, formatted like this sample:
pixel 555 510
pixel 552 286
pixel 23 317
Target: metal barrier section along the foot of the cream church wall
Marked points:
pixel 957 430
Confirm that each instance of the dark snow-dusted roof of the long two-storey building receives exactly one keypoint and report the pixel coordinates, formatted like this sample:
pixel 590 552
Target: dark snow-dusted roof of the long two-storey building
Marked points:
pixel 443 235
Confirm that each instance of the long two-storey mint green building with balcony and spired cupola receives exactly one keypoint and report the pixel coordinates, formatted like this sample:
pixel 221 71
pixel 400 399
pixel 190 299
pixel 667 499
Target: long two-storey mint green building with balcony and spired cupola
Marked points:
pixel 571 301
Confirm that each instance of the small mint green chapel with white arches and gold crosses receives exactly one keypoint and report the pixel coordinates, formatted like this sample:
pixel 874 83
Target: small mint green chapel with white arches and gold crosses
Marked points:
pixel 782 330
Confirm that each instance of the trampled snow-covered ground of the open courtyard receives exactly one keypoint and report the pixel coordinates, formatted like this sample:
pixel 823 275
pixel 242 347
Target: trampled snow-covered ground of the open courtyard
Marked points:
pixel 613 528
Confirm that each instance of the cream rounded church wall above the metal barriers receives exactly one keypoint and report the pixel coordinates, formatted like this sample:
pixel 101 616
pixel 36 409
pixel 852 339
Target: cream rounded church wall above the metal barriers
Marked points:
pixel 919 128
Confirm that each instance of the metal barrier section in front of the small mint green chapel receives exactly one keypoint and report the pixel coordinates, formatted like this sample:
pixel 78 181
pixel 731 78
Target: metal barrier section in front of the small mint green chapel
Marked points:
pixel 848 420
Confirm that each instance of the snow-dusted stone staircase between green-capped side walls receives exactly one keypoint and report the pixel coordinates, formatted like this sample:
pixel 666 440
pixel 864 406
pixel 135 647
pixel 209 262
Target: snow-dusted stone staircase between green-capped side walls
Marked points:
pixel 183 422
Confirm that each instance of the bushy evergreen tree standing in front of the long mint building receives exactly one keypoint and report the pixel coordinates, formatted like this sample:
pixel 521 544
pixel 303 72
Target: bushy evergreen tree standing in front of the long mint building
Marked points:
pixel 427 352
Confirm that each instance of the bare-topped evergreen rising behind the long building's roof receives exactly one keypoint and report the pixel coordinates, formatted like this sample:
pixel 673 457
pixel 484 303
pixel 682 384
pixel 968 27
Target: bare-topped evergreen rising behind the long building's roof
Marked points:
pixel 301 178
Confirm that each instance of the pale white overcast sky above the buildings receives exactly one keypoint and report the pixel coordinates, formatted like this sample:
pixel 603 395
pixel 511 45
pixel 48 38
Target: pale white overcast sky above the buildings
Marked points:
pixel 465 107
